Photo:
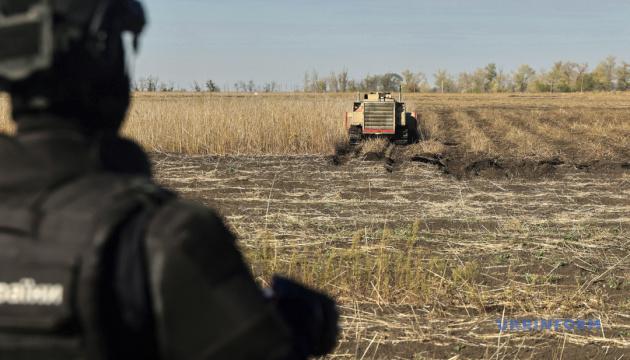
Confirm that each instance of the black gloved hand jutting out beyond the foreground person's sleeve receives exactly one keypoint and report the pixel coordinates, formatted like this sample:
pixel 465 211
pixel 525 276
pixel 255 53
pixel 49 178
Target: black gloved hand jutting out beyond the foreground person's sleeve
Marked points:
pixel 312 316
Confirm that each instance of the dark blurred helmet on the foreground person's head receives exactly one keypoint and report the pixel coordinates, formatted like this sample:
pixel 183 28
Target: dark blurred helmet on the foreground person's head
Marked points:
pixel 32 32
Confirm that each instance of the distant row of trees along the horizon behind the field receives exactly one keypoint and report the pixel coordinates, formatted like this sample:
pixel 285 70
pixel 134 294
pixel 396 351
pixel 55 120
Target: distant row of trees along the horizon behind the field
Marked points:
pixel 564 76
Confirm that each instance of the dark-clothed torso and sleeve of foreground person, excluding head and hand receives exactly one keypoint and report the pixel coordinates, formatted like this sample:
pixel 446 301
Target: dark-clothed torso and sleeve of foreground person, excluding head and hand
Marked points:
pixel 56 240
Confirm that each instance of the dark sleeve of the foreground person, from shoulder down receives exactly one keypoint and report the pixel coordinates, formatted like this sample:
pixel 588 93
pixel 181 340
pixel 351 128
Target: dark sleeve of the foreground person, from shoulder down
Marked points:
pixel 205 301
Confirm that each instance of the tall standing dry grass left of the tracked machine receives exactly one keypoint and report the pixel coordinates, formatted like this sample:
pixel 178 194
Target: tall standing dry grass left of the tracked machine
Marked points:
pixel 243 124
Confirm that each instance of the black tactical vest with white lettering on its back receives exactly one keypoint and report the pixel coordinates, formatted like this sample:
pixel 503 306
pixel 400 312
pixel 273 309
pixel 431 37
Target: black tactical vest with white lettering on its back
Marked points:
pixel 51 264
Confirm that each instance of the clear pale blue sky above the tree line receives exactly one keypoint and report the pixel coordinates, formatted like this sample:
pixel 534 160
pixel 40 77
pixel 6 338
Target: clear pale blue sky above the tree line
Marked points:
pixel 265 40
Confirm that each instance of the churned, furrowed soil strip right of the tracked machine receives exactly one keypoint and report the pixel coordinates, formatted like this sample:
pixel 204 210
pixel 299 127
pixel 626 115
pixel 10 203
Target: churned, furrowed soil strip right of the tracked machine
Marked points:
pixel 553 141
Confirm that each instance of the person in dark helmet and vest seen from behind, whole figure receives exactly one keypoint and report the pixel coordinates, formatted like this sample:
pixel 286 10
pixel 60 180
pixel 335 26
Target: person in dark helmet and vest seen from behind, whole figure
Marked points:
pixel 97 261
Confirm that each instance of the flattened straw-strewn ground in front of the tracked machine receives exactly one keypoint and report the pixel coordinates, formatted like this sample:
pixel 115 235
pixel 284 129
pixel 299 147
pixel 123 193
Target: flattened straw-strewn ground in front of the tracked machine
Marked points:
pixel 424 264
